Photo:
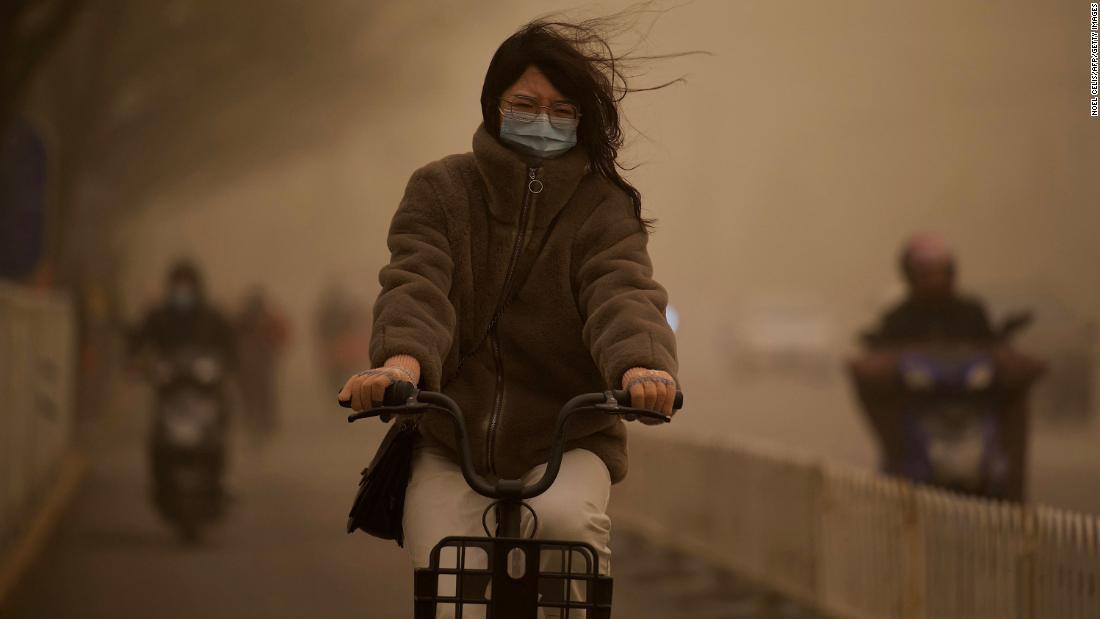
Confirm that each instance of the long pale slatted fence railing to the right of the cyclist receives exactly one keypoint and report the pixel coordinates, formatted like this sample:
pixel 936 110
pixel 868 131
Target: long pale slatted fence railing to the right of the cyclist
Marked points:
pixel 856 545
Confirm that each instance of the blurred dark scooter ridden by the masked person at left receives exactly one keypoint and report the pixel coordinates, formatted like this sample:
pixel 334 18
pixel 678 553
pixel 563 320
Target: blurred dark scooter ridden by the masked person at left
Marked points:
pixel 188 445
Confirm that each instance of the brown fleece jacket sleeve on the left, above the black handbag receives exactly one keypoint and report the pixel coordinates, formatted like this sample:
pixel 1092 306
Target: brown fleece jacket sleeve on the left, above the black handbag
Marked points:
pixel 414 315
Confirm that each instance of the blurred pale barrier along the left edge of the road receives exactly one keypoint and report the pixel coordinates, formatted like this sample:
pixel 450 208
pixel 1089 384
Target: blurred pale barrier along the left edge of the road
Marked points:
pixel 37 370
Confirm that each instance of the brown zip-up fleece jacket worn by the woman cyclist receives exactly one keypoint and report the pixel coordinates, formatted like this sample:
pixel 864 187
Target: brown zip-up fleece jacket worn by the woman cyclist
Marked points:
pixel 579 308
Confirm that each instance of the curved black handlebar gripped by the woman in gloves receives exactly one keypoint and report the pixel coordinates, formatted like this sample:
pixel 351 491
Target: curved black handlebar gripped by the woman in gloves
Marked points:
pixel 404 399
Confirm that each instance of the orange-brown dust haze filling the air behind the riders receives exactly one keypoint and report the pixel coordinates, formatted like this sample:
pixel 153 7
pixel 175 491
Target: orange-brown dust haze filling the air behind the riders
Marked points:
pixel 273 147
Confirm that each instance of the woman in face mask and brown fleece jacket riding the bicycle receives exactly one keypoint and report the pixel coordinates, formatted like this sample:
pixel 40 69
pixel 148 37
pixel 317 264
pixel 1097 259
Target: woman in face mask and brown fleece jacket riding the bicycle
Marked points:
pixel 519 279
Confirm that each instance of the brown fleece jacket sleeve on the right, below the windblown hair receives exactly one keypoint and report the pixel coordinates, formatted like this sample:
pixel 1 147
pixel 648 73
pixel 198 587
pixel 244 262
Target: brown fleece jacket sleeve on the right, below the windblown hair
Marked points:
pixel 621 304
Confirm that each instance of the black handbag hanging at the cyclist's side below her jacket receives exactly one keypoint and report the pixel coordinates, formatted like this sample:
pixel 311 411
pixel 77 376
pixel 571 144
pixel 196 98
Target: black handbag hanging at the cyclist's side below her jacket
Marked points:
pixel 380 503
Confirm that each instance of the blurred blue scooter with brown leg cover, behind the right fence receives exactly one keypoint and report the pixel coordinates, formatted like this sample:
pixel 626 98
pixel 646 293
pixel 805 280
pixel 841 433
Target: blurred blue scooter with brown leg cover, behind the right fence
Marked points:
pixel 952 415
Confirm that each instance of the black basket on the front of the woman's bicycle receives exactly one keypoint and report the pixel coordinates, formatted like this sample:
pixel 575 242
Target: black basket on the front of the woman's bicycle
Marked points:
pixel 501 579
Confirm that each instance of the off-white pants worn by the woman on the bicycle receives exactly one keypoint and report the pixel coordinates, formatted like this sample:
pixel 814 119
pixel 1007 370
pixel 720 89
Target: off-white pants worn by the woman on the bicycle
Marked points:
pixel 438 503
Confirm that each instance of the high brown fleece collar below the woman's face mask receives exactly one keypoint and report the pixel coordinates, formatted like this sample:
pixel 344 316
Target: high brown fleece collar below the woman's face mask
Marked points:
pixel 507 175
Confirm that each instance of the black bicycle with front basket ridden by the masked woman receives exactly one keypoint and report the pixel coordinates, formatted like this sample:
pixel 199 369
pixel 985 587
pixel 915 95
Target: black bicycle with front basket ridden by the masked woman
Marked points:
pixel 511 585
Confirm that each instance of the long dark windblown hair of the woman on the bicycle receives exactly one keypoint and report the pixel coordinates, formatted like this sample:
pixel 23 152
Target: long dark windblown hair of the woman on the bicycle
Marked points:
pixel 578 60
